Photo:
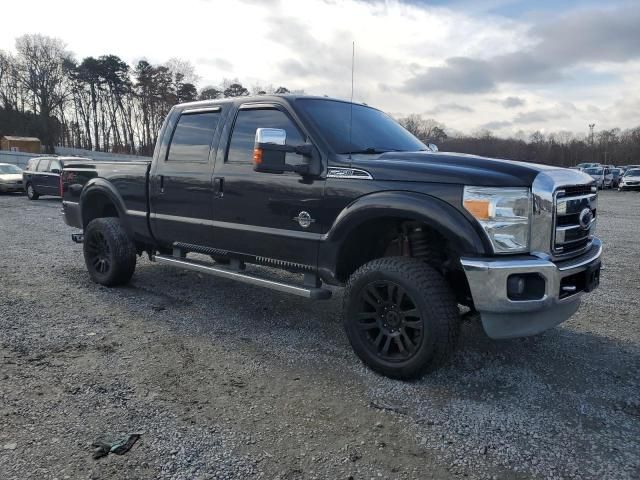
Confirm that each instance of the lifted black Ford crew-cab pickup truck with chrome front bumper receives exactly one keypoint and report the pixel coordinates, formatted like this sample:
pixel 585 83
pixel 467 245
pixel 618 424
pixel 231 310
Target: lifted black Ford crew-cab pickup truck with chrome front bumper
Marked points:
pixel 341 194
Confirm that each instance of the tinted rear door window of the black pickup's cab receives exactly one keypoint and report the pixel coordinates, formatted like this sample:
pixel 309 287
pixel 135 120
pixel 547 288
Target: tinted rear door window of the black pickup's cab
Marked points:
pixel 192 137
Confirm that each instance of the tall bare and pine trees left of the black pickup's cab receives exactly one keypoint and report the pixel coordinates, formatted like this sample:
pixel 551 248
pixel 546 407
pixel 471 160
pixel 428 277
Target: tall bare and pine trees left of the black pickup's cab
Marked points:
pixel 98 103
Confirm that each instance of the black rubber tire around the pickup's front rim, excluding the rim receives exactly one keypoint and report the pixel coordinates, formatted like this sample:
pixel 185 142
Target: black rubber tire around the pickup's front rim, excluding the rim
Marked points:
pixel 431 296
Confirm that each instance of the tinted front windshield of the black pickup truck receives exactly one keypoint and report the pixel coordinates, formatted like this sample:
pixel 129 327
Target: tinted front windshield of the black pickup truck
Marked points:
pixel 372 130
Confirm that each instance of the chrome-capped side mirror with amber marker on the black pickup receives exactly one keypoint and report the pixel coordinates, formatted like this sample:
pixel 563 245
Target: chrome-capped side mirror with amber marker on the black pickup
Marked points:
pixel 270 150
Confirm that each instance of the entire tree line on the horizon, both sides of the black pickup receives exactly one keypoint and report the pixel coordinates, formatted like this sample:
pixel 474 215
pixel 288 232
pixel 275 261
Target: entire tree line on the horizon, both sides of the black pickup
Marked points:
pixel 103 103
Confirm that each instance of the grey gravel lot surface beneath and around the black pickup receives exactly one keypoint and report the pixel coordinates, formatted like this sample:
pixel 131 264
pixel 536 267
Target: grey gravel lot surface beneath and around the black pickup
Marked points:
pixel 225 380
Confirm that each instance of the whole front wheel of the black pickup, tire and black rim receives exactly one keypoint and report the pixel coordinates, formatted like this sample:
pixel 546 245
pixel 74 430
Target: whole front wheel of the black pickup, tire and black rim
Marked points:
pixel 400 316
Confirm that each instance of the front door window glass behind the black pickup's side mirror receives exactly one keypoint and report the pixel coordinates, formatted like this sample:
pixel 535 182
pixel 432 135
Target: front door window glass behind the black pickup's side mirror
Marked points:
pixel 244 133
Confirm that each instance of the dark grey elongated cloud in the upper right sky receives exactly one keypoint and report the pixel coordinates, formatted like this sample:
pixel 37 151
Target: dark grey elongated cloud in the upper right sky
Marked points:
pixel 583 36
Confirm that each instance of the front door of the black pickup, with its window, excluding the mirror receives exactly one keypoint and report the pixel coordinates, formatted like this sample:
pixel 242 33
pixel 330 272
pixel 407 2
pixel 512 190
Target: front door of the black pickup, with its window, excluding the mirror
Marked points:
pixel 262 214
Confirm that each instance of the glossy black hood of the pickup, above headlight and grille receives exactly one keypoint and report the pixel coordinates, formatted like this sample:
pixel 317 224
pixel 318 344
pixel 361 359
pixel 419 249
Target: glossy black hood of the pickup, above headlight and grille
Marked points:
pixel 458 168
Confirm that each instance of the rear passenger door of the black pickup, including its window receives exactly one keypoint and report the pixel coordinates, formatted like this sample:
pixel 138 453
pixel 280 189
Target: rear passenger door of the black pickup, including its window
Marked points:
pixel 181 190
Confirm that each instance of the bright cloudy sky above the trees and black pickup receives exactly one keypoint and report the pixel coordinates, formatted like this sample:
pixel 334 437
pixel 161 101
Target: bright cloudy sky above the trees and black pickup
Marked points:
pixel 503 65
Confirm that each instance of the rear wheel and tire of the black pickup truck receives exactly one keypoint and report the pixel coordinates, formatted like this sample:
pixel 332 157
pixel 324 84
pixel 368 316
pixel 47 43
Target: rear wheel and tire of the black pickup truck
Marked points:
pixel 109 252
